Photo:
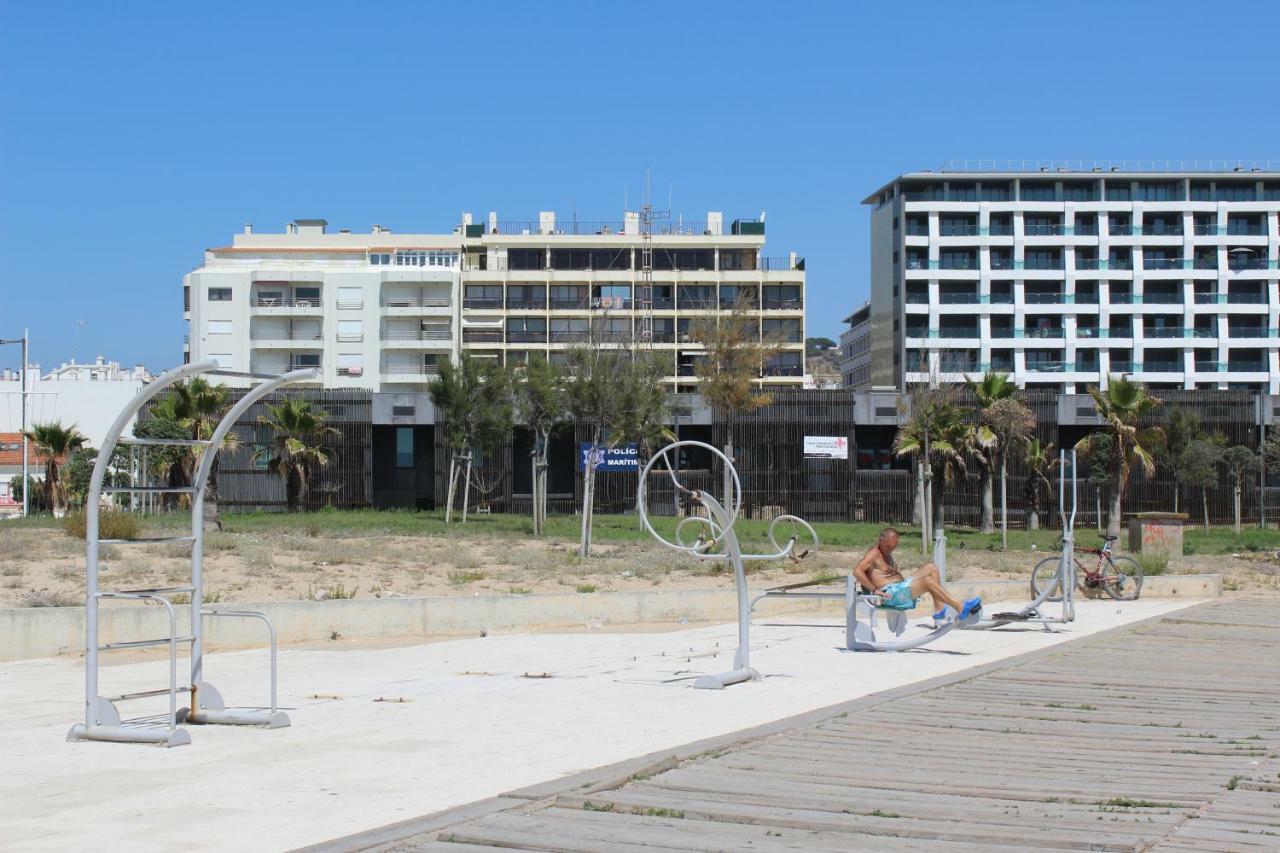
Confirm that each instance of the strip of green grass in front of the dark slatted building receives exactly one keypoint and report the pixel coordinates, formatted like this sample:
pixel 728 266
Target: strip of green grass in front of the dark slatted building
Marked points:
pixel 625 528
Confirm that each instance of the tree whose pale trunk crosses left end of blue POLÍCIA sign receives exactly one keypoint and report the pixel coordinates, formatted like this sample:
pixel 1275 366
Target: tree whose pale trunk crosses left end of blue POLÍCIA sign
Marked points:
pixel 619 396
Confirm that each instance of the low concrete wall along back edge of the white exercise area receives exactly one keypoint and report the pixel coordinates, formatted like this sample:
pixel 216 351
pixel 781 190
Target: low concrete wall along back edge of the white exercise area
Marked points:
pixel 30 633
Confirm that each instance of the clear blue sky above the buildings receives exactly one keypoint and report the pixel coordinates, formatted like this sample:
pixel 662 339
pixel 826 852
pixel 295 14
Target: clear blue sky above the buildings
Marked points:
pixel 134 136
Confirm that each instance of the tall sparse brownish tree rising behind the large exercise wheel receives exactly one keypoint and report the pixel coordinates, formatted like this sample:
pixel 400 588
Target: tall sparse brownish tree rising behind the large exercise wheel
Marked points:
pixel 729 376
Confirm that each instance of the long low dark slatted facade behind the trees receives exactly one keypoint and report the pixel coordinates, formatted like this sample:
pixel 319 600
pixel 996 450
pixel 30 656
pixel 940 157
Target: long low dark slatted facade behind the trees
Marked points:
pixel 403 463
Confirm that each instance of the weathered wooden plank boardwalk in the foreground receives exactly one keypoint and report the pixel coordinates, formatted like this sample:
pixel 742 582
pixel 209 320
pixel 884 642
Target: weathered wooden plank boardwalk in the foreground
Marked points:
pixel 1162 736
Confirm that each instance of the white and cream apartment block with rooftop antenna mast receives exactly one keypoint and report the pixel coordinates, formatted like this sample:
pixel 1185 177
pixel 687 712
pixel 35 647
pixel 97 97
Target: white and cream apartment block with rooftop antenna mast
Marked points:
pixel 380 311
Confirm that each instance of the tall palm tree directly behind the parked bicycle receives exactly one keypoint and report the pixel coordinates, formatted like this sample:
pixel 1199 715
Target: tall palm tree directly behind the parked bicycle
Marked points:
pixel 1122 407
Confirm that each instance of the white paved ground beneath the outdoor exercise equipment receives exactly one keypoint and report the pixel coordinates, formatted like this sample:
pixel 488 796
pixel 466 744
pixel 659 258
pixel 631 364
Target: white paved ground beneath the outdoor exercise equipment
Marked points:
pixel 390 735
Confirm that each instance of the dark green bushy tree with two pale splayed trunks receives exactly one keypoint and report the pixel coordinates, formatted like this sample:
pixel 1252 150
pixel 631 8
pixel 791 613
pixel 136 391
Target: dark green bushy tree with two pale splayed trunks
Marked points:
pixel 474 407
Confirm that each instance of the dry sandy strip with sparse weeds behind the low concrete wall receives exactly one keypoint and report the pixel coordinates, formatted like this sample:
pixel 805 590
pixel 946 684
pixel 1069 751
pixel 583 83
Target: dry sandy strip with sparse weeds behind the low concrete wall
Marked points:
pixel 48 567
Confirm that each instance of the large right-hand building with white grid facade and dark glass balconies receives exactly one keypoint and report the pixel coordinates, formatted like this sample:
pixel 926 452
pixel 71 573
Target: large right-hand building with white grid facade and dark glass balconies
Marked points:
pixel 1063 275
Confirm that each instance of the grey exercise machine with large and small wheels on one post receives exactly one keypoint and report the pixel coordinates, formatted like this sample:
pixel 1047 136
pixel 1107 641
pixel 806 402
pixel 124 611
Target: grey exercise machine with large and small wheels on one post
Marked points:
pixel 717 541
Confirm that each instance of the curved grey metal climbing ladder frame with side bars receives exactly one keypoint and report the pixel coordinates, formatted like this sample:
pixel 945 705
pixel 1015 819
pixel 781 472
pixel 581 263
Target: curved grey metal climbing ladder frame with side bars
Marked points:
pixel 103 719
